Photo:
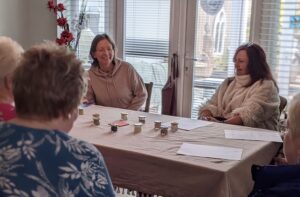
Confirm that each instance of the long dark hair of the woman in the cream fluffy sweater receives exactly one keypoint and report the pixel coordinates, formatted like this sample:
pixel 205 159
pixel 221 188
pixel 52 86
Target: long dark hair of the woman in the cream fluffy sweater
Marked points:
pixel 257 66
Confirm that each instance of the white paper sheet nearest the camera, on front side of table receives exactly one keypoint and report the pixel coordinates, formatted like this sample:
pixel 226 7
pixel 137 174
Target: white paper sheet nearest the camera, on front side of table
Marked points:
pixel 219 152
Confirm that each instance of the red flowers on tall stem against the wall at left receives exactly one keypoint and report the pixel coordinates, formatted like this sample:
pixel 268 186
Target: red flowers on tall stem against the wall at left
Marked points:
pixel 66 37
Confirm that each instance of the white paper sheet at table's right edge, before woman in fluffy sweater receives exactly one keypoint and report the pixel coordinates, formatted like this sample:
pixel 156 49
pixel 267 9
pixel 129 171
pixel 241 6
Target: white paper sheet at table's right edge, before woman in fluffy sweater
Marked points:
pixel 253 135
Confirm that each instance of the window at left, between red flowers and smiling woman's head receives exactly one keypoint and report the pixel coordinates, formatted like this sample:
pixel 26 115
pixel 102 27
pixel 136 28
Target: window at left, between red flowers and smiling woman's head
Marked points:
pixel 96 20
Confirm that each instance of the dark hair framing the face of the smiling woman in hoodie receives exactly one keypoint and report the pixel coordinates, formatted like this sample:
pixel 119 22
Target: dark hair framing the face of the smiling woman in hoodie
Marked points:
pixel 93 48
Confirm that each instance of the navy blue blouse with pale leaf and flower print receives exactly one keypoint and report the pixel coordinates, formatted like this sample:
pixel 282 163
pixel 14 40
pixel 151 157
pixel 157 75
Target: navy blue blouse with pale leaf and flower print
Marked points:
pixel 36 162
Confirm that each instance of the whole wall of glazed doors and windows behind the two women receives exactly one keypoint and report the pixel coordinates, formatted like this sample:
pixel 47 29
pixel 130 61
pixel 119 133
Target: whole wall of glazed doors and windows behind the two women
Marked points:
pixel 142 29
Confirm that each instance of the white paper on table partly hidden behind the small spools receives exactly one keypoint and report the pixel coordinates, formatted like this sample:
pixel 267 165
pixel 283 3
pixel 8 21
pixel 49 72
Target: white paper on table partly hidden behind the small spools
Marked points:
pixel 189 124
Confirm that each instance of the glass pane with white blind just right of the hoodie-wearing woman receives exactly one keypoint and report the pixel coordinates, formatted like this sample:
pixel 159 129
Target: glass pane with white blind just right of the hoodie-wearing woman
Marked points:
pixel 146 42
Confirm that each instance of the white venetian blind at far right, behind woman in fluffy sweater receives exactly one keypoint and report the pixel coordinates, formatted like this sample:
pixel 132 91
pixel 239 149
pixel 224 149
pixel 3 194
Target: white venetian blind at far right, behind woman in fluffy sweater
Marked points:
pixel 280 37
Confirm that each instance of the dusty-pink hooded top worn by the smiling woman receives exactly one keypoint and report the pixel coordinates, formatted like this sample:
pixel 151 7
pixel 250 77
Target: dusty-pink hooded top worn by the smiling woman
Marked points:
pixel 123 88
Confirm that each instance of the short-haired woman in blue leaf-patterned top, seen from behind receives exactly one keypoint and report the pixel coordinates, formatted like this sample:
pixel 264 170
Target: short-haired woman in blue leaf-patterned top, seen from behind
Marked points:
pixel 37 156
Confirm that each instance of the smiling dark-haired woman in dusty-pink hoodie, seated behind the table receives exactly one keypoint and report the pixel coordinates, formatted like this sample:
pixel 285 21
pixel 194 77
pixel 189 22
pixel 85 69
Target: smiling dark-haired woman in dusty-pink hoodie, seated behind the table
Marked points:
pixel 113 82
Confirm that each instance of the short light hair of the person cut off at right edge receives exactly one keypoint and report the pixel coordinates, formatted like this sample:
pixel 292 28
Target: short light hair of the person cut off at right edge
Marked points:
pixel 293 116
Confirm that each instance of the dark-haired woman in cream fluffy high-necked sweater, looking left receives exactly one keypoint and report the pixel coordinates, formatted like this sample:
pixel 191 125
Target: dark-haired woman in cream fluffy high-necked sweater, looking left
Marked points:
pixel 249 98
